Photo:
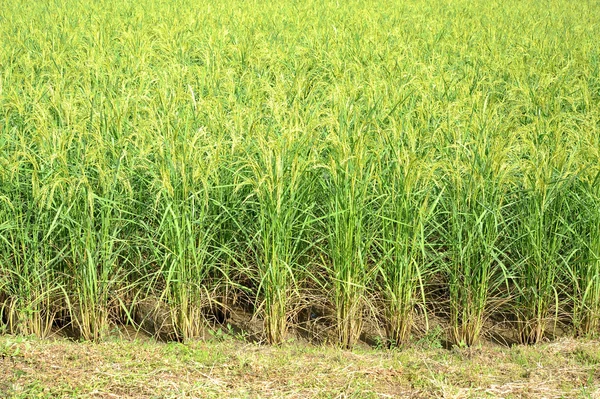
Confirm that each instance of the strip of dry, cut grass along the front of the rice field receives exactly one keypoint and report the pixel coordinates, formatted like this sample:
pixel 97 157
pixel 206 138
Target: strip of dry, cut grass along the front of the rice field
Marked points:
pixel 137 369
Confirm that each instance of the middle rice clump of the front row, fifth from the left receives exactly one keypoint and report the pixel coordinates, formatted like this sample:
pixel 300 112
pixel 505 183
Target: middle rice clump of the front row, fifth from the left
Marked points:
pixel 347 184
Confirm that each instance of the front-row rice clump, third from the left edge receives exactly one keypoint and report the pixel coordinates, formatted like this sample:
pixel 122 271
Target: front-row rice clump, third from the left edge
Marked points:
pixel 185 230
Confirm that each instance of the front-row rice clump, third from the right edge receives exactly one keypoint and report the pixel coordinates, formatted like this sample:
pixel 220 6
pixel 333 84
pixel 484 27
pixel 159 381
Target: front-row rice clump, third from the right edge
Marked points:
pixel 476 190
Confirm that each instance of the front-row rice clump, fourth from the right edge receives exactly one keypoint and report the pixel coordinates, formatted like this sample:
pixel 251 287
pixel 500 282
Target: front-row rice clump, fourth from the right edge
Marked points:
pixel 408 203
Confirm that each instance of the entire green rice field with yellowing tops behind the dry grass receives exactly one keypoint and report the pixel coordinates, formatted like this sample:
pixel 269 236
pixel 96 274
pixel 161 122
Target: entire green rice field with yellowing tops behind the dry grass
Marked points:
pixel 355 164
